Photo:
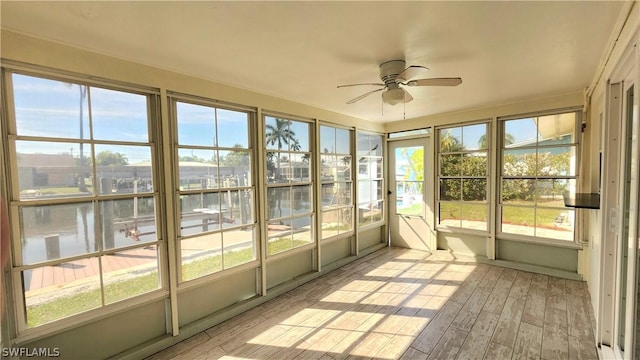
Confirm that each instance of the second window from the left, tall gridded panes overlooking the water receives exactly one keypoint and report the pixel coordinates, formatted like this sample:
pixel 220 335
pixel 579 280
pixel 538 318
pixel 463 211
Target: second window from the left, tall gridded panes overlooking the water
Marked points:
pixel 216 191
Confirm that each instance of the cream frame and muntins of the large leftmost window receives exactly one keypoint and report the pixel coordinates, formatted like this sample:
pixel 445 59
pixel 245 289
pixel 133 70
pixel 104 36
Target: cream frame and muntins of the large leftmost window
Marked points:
pixel 16 203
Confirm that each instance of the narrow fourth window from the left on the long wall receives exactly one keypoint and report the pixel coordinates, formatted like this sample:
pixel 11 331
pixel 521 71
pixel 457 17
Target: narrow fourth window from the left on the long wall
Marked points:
pixel 335 172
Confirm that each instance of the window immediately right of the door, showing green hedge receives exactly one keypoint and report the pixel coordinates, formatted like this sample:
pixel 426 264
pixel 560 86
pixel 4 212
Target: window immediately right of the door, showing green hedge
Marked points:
pixel 463 177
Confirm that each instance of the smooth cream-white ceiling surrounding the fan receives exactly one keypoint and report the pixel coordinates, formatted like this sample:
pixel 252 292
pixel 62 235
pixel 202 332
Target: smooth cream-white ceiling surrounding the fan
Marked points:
pixel 300 51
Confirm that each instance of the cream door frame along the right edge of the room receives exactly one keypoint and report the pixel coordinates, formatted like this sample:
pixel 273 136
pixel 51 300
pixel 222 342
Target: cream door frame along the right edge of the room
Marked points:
pixel 615 176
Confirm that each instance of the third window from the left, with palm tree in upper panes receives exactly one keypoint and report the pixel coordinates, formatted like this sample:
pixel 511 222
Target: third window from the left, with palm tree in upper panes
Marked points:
pixel 289 184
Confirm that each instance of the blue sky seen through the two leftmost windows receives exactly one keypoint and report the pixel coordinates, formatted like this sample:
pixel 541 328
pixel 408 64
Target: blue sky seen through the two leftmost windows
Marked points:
pixel 49 108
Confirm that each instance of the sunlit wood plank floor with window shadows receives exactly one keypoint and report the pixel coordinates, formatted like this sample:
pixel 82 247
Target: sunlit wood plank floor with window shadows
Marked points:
pixel 406 304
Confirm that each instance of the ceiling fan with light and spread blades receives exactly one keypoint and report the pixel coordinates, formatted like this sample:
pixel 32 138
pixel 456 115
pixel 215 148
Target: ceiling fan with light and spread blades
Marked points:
pixel 395 75
